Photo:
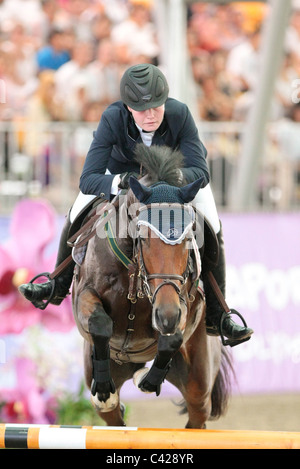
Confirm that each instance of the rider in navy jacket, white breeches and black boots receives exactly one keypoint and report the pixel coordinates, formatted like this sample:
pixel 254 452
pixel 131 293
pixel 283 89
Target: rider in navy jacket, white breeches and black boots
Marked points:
pixel 144 114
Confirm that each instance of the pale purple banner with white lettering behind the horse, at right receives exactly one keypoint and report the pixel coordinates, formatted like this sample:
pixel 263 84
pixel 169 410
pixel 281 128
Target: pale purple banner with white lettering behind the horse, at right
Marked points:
pixel 263 284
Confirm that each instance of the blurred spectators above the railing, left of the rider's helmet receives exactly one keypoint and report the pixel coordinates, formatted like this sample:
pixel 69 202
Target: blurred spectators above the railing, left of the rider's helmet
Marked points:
pixel 62 59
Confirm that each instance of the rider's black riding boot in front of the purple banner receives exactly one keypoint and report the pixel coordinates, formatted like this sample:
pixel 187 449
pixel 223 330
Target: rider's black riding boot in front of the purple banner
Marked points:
pixel 218 323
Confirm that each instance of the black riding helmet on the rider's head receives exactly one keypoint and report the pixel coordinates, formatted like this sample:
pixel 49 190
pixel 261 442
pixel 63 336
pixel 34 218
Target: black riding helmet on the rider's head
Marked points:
pixel 143 87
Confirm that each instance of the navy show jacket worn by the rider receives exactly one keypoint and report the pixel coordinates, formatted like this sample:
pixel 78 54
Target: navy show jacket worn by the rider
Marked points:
pixel 114 142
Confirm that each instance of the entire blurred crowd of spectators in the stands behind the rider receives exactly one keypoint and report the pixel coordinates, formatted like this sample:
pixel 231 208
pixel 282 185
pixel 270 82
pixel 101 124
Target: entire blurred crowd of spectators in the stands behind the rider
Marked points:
pixel 61 61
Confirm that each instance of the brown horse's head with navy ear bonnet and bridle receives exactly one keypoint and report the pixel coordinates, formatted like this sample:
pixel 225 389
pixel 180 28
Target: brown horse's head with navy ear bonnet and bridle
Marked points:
pixel 164 223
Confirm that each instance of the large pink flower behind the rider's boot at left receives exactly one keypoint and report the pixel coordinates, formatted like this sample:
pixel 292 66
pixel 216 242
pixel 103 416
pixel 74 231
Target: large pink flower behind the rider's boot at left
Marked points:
pixel 22 257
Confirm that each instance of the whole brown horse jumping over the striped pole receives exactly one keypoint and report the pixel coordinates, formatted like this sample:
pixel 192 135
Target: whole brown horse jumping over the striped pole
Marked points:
pixel 136 299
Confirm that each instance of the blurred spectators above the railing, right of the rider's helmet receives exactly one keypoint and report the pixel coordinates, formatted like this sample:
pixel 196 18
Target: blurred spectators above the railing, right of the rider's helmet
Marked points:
pixel 224 43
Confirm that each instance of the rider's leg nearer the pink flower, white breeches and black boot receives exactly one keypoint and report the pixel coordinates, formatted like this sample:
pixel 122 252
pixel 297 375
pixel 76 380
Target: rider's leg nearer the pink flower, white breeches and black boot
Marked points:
pixel 38 292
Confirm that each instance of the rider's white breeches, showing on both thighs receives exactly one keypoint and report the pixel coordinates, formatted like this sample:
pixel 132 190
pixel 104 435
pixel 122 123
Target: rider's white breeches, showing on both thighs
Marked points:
pixel 204 202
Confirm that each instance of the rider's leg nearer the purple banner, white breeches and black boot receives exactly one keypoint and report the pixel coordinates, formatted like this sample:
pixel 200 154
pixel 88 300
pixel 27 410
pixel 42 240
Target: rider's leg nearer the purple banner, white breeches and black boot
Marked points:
pixel 204 202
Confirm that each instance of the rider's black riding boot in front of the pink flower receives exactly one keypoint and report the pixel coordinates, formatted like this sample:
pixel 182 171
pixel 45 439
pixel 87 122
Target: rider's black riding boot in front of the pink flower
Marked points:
pixel 37 293
